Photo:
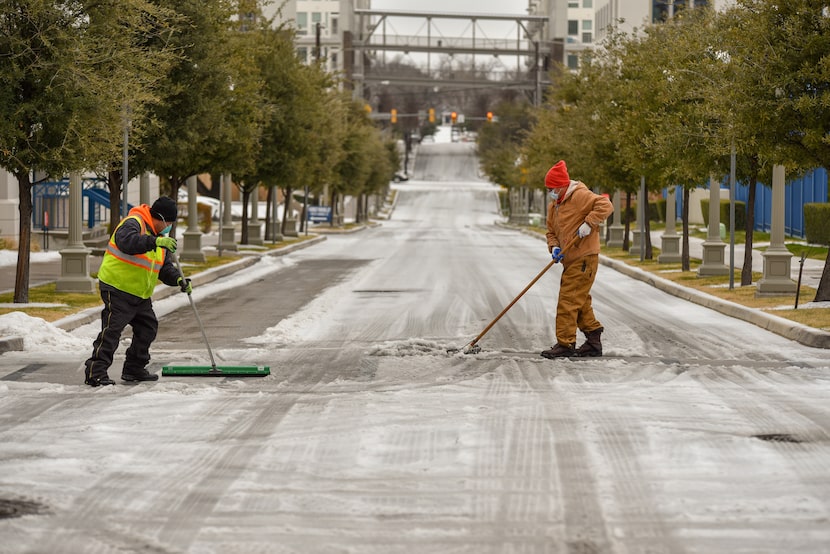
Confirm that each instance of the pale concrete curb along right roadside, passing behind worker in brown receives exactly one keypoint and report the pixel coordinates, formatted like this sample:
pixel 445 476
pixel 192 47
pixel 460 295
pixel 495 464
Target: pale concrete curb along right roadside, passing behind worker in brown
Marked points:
pixel 808 336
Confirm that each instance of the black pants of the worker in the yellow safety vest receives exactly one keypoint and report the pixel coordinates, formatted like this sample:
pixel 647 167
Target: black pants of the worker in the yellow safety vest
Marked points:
pixel 122 309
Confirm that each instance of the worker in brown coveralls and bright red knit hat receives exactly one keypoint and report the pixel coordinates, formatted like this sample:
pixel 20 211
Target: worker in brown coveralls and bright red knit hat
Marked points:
pixel 574 215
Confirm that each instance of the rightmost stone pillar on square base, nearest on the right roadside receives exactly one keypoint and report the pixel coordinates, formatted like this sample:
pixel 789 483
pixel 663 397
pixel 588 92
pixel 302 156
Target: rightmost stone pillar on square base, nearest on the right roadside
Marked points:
pixel 777 259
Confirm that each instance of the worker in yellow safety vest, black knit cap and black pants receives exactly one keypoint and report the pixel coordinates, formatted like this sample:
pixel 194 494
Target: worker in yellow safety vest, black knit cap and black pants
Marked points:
pixel 133 264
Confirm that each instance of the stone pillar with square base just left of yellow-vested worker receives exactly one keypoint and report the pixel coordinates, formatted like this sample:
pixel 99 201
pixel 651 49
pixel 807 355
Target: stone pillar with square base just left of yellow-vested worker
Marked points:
pixel 75 257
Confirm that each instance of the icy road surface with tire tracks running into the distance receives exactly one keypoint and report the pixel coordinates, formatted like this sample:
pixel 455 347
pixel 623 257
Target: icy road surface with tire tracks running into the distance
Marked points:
pixel 697 434
